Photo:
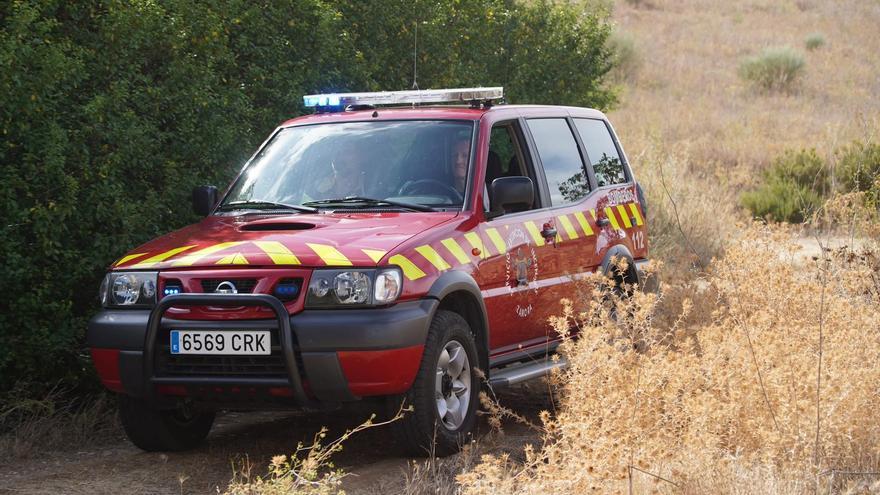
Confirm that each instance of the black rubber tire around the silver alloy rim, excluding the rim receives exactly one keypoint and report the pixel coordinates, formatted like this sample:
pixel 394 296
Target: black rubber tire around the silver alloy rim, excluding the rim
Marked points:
pixel 422 432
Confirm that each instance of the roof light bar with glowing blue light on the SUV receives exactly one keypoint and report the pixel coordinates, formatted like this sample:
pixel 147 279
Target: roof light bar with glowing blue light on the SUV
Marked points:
pixel 463 95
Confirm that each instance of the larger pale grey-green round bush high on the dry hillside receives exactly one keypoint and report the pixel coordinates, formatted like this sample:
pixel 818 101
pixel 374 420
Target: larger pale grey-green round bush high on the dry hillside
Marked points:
pixel 774 69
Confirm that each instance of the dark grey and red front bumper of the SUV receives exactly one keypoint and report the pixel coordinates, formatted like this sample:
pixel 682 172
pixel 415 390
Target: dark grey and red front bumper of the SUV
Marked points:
pixel 317 355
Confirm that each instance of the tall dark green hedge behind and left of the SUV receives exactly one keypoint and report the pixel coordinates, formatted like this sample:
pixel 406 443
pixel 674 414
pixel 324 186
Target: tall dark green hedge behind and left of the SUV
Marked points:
pixel 110 112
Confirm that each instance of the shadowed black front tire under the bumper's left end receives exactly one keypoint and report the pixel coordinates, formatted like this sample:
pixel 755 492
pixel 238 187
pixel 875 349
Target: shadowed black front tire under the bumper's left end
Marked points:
pixel 156 430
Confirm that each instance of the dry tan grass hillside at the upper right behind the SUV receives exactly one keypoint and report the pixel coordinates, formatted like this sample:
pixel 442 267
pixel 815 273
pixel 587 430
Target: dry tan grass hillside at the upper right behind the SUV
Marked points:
pixel 688 96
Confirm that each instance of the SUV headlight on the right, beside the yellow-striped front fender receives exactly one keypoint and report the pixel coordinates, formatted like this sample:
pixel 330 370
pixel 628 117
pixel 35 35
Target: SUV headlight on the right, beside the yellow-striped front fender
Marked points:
pixel 368 287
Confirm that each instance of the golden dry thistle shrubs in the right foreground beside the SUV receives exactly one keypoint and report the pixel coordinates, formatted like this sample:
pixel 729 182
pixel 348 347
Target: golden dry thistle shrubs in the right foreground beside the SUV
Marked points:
pixel 712 388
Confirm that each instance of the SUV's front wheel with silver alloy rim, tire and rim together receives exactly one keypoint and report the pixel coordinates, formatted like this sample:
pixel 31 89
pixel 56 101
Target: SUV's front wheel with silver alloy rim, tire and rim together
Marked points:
pixel 445 393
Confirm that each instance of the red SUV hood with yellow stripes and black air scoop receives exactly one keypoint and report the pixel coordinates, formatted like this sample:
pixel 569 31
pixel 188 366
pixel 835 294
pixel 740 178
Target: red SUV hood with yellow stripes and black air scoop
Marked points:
pixel 357 239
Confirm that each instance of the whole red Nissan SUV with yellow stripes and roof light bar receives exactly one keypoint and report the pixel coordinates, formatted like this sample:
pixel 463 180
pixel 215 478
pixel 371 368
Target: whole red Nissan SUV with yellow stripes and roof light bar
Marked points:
pixel 377 248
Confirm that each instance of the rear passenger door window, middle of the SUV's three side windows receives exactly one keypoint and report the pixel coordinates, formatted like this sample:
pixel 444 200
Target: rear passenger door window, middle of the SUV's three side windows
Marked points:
pixel 566 176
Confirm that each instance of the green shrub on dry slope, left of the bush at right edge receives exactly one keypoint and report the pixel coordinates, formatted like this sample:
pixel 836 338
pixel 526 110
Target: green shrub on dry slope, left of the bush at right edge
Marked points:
pixel 793 188
